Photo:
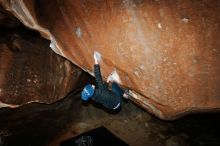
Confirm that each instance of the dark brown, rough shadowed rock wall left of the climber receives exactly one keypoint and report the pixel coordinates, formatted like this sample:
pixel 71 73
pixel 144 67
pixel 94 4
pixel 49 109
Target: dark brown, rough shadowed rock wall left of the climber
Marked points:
pixel 31 72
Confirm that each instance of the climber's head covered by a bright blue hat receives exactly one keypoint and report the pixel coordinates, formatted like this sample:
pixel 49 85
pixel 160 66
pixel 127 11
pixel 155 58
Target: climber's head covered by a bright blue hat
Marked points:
pixel 87 92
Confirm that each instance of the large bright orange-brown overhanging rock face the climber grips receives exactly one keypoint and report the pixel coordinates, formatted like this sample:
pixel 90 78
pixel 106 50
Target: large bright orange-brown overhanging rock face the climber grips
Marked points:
pixel 168 52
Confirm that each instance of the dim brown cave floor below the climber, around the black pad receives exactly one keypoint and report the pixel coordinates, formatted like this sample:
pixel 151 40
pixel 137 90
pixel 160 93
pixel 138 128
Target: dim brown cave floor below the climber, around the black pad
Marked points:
pixel 41 124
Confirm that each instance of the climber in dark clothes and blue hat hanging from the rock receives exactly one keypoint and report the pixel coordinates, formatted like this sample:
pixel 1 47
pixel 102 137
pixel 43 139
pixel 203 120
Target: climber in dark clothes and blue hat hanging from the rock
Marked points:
pixel 110 99
